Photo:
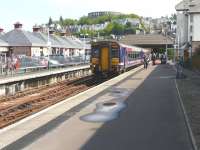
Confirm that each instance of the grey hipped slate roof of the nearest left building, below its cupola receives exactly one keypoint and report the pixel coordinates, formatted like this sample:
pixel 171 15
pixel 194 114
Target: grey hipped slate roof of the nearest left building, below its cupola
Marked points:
pixel 18 37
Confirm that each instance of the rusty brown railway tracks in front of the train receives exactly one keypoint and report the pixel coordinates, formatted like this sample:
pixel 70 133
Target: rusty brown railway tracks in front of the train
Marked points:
pixel 22 104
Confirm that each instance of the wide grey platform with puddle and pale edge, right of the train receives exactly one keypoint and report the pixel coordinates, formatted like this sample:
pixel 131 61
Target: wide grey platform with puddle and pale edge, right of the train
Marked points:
pixel 150 117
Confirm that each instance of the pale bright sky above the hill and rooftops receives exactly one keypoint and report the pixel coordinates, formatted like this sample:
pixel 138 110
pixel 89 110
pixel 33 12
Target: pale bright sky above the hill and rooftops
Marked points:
pixel 31 12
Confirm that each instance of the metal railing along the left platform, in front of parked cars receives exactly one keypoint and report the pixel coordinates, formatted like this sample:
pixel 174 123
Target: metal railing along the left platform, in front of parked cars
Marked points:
pixel 23 64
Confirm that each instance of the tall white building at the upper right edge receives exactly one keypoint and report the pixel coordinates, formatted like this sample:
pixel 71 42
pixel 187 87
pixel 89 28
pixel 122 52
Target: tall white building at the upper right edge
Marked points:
pixel 188 26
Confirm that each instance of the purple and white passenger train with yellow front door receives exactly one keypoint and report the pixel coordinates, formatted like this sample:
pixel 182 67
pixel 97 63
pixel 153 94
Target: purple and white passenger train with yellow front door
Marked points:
pixel 112 57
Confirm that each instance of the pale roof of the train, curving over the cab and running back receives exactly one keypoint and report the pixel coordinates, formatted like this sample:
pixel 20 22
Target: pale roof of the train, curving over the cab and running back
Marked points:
pixel 122 45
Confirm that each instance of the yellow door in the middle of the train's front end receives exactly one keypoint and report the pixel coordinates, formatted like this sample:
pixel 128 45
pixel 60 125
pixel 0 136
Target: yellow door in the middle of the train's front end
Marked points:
pixel 105 59
